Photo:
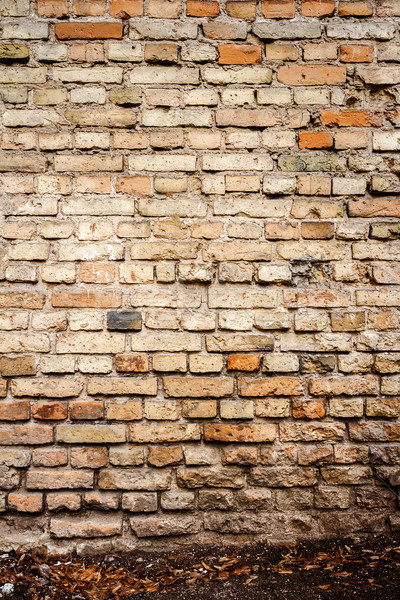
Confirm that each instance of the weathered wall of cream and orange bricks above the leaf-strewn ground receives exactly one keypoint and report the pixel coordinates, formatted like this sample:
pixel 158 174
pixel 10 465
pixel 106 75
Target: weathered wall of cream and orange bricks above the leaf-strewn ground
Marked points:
pixel 199 270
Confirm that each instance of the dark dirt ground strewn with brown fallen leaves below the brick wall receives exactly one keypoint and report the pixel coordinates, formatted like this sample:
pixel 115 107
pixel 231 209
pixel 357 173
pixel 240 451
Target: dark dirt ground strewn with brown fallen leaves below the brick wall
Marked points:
pixel 368 569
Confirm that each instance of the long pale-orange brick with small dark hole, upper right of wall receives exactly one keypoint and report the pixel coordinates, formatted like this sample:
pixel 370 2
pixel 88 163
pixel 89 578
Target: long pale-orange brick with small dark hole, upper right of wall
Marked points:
pixel 312 75
